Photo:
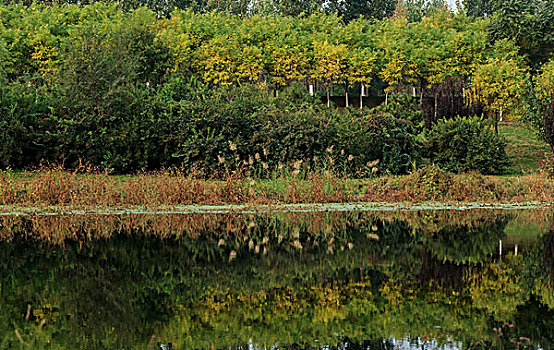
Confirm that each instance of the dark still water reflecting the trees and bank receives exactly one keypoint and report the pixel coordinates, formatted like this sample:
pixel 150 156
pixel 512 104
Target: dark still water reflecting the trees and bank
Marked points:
pixel 353 280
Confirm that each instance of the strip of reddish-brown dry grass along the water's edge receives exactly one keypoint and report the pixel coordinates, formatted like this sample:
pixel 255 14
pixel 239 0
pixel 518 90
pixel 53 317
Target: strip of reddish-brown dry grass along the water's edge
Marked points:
pixel 66 189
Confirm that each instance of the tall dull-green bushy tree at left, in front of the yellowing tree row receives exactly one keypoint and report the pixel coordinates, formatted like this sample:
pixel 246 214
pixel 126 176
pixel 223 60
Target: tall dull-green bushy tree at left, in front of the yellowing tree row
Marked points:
pixel 107 75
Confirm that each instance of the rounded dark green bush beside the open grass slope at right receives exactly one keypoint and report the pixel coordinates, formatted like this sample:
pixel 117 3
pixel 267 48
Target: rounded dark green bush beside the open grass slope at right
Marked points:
pixel 468 143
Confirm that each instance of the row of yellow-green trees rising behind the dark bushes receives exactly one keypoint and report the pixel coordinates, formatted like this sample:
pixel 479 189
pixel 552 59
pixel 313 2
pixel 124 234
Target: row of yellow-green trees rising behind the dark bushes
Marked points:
pixel 41 43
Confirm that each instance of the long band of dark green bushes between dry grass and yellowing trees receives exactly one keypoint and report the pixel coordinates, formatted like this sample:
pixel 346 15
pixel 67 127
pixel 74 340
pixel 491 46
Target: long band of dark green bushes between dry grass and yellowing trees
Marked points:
pixel 184 123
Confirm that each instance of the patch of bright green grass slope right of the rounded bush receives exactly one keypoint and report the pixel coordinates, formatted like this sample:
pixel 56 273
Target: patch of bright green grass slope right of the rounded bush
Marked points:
pixel 525 149
